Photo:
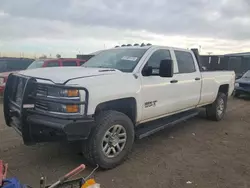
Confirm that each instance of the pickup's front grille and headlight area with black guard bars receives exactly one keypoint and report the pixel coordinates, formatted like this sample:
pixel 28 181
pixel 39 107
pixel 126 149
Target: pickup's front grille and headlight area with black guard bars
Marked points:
pixel 27 96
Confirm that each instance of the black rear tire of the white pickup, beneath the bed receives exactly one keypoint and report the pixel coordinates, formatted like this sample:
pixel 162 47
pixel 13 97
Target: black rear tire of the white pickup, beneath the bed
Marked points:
pixel 212 110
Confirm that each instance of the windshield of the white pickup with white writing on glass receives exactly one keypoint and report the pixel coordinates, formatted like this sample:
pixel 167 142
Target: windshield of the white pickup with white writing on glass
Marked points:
pixel 123 59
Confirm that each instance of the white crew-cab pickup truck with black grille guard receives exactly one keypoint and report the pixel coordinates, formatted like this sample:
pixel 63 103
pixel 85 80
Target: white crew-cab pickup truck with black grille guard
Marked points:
pixel 119 95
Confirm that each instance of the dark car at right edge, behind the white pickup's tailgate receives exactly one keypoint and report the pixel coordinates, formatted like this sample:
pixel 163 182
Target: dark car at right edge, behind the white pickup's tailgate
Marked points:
pixel 242 85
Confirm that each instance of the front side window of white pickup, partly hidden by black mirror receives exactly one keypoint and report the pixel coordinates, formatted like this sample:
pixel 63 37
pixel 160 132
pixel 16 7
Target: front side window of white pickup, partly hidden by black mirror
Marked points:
pixel 156 58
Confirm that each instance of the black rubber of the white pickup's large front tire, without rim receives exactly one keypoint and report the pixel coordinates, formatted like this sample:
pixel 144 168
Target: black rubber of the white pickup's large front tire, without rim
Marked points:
pixel 92 148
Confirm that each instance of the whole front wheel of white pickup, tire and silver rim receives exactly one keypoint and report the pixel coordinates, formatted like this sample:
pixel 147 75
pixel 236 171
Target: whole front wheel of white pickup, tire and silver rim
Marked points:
pixel 111 140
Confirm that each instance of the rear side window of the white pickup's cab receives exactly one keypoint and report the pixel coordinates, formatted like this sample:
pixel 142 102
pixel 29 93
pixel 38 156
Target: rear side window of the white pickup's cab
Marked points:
pixel 185 62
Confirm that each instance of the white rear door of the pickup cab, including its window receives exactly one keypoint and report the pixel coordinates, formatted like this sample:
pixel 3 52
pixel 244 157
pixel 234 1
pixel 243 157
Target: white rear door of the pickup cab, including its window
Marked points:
pixel 188 80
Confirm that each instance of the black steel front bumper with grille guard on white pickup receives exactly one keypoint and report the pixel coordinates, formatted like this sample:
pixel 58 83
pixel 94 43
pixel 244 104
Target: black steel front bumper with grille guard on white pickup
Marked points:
pixel 36 126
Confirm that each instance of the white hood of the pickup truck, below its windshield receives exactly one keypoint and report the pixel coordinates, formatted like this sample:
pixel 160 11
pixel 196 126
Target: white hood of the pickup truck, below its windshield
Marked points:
pixel 62 74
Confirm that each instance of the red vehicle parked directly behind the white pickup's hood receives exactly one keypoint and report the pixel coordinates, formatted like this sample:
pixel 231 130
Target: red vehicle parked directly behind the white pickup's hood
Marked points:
pixel 41 63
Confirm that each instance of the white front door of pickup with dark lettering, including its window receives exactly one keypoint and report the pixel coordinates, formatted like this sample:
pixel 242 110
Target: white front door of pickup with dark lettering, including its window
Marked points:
pixel 159 95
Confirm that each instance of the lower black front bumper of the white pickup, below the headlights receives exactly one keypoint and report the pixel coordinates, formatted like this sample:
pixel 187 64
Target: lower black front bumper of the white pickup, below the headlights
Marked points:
pixel 38 128
